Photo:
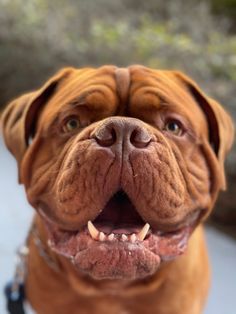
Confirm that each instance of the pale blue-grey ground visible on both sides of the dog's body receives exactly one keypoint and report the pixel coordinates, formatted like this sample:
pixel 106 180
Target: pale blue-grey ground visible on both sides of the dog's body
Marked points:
pixel 15 217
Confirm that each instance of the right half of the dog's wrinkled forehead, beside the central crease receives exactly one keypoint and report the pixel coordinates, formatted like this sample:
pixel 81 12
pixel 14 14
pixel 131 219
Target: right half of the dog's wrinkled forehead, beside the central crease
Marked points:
pixel 153 90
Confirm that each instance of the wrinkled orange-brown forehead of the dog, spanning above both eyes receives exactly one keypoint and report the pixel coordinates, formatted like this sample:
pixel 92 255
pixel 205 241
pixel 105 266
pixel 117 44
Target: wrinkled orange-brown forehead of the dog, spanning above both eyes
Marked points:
pixel 137 91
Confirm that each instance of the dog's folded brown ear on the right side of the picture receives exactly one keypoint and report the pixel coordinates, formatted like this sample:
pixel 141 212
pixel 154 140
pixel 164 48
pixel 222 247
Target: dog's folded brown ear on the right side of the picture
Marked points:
pixel 221 129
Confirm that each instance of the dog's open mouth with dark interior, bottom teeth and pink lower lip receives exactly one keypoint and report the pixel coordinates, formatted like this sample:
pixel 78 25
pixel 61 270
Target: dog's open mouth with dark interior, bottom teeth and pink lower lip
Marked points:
pixel 118 244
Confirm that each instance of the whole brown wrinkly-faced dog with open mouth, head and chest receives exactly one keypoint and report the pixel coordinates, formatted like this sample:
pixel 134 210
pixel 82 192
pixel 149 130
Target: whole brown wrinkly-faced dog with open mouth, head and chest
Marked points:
pixel 121 165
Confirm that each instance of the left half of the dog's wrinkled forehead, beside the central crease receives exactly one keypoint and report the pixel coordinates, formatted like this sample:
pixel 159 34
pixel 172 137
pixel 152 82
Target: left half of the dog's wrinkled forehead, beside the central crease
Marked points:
pixel 93 88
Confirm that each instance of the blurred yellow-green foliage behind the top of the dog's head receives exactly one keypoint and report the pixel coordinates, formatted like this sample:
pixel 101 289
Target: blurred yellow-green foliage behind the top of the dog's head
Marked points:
pixel 40 36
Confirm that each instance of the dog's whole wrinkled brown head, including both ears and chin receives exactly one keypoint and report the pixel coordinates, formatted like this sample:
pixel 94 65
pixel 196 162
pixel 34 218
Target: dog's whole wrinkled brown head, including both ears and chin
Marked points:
pixel 122 164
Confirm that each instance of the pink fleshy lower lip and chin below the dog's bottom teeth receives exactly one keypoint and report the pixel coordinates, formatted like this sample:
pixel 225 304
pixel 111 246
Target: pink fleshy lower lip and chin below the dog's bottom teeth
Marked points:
pixel 88 255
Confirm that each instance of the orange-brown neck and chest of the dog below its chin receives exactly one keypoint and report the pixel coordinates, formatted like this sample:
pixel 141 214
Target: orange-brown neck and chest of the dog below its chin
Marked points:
pixel 75 290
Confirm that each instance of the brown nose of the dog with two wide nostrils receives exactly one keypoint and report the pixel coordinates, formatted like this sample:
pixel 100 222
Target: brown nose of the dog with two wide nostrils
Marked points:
pixel 117 130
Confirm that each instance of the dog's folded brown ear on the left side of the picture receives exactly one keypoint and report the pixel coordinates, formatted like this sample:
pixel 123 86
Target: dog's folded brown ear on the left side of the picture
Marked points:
pixel 19 117
